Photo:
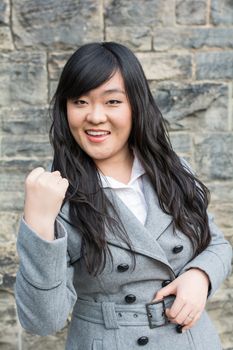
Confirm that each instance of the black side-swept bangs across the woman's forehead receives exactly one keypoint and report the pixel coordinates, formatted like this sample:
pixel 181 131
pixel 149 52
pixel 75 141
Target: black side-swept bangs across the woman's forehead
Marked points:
pixel 86 70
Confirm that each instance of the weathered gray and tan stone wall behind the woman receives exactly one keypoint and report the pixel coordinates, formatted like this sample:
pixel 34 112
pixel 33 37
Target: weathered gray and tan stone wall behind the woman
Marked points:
pixel 186 49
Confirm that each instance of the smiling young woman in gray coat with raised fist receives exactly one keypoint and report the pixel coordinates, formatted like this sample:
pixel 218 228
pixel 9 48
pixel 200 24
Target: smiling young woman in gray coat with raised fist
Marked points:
pixel 117 232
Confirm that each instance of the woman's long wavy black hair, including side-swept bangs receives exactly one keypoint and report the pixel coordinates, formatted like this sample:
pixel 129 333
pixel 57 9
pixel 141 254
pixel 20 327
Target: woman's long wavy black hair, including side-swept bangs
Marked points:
pixel 179 192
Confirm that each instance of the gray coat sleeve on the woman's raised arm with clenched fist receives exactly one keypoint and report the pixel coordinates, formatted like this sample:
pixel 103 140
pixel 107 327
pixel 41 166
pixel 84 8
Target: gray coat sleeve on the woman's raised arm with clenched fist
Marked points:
pixel 44 289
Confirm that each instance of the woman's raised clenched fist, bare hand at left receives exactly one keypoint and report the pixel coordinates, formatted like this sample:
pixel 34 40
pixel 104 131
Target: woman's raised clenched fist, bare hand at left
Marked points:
pixel 44 194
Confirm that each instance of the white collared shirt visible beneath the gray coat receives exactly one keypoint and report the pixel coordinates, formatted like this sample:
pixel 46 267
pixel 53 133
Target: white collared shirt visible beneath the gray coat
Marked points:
pixel 132 193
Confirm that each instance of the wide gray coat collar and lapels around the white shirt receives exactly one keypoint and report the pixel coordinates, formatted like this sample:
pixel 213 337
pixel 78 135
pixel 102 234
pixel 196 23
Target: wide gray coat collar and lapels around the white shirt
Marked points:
pixel 143 238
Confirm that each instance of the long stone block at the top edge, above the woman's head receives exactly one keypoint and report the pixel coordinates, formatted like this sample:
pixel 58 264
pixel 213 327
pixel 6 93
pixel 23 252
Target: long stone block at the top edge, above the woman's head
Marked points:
pixel 148 13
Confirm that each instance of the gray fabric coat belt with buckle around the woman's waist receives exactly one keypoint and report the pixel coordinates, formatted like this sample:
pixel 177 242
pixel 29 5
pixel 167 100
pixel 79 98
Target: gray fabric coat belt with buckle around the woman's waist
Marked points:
pixel 114 315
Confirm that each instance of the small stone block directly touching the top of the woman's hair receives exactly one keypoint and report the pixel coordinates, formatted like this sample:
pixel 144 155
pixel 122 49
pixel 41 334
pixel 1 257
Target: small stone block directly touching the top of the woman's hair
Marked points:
pixel 135 38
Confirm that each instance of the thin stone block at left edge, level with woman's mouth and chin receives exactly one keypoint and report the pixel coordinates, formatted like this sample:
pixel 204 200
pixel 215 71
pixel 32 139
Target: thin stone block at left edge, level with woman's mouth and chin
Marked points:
pixel 25 146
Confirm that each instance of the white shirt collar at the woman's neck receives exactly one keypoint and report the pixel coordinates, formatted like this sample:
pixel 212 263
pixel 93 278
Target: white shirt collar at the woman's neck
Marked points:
pixel 137 171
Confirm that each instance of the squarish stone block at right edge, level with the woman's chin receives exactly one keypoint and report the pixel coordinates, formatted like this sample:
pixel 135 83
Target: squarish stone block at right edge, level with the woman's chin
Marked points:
pixel 214 155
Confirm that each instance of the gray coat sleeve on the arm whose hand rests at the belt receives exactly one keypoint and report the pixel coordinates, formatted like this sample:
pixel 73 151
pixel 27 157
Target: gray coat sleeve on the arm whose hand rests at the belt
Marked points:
pixel 215 260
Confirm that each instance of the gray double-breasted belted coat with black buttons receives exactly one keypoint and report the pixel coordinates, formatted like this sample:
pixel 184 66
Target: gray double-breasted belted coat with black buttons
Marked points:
pixel 109 311
